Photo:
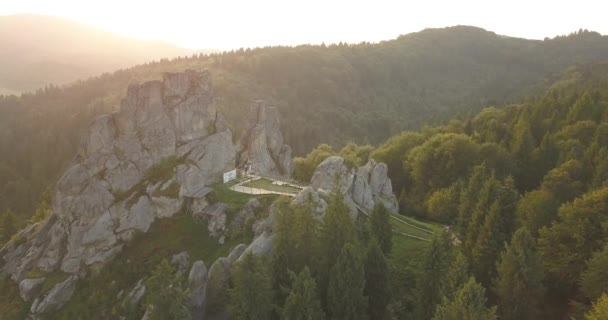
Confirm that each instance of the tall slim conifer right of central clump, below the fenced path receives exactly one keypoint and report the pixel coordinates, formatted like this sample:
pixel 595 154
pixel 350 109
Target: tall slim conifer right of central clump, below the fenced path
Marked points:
pixel 435 264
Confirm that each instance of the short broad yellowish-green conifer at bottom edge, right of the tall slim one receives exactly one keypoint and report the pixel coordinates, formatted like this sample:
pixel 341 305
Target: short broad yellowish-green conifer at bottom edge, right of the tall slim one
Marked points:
pixel 469 303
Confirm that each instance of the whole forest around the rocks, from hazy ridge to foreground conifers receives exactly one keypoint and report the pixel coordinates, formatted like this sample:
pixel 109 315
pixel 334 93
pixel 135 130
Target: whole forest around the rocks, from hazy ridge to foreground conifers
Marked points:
pixel 519 188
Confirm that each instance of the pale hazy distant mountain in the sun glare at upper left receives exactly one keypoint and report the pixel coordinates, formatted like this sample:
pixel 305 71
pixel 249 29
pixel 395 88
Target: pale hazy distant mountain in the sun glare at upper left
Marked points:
pixel 40 50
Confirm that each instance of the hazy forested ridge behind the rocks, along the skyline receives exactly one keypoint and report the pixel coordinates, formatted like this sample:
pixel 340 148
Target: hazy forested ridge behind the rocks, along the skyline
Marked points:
pixel 332 94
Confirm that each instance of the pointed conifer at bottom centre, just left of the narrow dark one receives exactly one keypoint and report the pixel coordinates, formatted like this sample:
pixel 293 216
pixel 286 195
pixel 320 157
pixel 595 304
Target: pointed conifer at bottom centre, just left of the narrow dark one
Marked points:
pixel 345 299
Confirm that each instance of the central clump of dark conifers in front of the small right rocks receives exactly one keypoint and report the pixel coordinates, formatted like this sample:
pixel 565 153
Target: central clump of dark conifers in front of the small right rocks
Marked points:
pixel 334 268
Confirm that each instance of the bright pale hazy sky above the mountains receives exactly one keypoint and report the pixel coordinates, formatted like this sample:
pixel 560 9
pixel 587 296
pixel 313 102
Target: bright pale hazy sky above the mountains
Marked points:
pixel 226 24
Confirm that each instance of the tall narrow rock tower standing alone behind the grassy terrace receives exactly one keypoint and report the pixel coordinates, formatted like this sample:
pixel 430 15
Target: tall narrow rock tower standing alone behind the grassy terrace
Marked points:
pixel 261 148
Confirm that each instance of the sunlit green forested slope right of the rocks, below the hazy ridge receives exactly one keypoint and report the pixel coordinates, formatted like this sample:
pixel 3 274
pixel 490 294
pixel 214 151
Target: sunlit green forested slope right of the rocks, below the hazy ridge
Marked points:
pixel 524 188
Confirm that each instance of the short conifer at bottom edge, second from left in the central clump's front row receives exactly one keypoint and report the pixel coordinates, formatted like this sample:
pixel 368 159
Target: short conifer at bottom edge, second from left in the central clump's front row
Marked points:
pixel 303 302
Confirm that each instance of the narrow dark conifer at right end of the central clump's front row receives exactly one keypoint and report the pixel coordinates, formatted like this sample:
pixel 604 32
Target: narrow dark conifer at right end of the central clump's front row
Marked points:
pixel 377 282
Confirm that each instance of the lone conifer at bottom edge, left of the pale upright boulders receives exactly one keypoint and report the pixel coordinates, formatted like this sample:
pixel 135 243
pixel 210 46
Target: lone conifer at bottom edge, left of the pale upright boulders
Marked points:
pixel 165 293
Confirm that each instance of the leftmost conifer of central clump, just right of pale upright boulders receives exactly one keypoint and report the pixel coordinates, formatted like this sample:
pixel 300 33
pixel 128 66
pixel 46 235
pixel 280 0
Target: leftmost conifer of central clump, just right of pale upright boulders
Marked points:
pixel 251 297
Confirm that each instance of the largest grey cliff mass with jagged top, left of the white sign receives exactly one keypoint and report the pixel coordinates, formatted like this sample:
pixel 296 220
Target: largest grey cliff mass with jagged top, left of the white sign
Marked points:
pixel 160 151
